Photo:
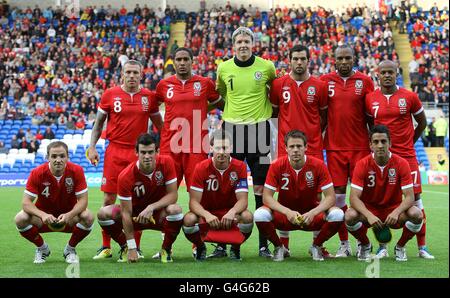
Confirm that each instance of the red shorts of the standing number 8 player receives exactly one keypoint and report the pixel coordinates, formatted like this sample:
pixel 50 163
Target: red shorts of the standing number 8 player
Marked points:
pixel 117 158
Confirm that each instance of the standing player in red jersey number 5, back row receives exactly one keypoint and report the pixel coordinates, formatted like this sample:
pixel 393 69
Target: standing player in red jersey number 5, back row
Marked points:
pixel 347 89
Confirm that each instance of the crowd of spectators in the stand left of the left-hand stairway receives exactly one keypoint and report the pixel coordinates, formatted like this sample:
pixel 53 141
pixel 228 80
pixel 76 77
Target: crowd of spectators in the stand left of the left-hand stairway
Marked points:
pixel 54 67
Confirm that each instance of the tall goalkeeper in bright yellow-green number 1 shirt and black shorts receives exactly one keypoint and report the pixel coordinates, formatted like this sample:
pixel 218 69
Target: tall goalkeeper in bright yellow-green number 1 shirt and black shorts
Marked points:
pixel 243 82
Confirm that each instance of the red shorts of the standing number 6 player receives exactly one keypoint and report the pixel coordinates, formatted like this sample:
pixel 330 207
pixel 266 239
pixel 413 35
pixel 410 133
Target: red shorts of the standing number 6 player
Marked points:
pixel 185 164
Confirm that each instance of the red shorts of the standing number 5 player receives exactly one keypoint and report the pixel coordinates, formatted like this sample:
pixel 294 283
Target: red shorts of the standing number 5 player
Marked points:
pixel 342 163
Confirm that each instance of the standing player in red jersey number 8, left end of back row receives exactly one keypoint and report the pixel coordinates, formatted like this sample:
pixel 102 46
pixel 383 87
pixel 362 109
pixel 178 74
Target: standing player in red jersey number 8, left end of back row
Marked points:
pixel 127 109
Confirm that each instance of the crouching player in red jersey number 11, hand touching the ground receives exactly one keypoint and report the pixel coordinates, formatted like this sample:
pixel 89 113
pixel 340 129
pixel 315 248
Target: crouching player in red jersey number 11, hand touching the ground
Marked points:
pixel 147 190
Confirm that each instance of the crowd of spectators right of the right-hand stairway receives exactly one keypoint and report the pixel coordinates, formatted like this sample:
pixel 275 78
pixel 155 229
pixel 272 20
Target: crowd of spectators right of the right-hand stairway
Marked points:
pixel 429 67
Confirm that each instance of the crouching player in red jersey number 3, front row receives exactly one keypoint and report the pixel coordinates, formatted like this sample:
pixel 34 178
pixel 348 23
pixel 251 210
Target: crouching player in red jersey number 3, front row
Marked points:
pixel 378 183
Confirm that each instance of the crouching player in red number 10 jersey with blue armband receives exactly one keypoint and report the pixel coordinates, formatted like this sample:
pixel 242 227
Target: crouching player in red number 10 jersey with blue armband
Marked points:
pixel 218 196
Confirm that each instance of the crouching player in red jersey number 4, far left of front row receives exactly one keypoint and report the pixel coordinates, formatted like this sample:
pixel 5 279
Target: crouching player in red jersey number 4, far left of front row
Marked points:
pixel 61 206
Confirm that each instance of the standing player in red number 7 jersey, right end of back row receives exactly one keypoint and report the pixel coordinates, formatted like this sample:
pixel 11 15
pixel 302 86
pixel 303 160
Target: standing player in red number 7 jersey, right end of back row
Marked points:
pixel 394 107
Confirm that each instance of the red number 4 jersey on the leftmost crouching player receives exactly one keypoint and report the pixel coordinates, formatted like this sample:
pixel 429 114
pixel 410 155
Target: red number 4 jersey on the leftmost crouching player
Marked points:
pixel 53 196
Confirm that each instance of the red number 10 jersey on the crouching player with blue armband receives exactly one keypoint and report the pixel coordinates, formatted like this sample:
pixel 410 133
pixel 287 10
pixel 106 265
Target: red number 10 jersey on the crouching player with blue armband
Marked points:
pixel 219 188
